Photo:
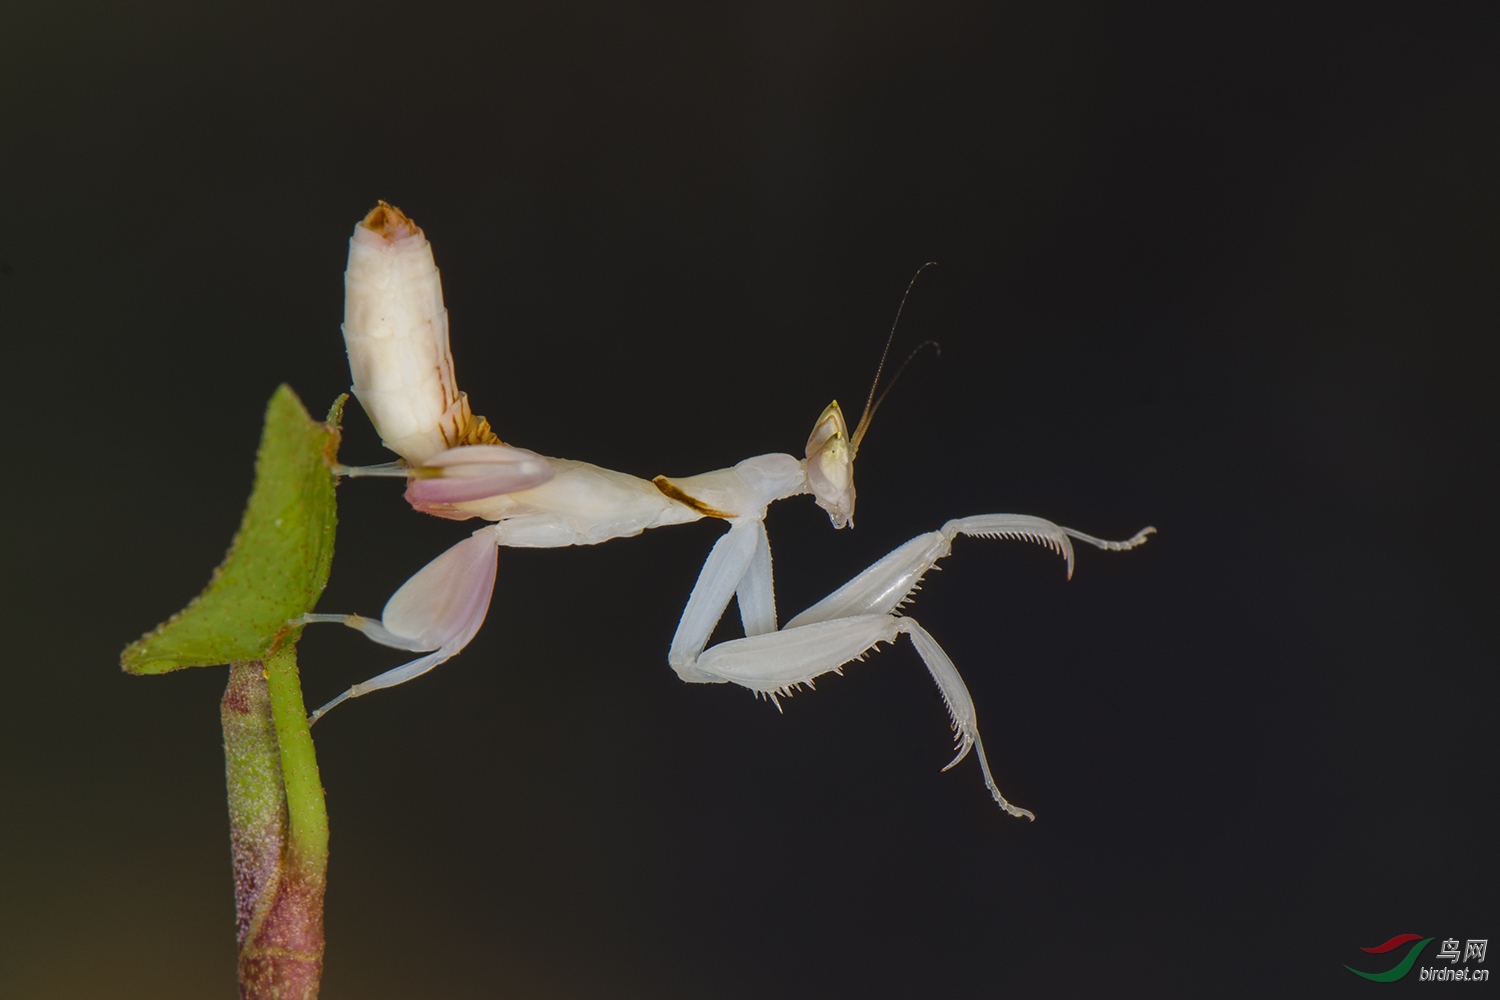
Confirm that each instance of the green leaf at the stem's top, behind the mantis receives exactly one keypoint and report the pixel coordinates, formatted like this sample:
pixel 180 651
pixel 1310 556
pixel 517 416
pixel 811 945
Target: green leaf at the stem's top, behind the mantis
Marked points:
pixel 278 563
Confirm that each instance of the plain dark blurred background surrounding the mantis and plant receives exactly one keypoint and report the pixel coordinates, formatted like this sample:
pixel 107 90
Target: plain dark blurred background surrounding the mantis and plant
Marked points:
pixel 1229 272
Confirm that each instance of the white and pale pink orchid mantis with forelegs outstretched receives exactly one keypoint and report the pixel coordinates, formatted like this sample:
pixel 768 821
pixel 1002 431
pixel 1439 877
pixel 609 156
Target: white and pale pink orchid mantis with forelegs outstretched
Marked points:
pixel 397 335
